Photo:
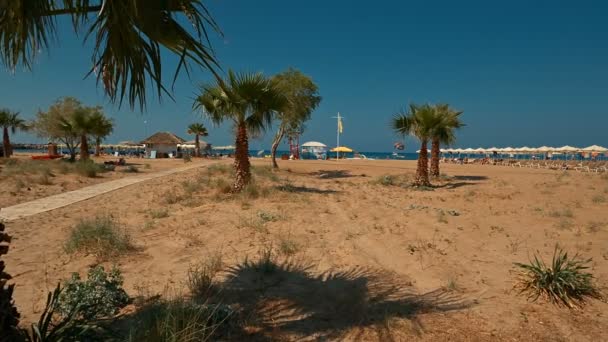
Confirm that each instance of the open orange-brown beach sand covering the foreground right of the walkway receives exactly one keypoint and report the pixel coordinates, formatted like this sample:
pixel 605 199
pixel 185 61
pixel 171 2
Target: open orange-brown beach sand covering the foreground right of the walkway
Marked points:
pixel 370 262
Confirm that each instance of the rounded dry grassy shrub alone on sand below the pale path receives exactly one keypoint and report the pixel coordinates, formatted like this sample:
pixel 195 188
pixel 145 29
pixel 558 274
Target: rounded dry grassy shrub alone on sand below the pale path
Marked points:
pixel 100 236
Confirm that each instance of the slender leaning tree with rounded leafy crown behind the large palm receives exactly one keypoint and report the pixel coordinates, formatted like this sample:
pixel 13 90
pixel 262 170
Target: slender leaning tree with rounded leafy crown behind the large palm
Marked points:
pixel 302 98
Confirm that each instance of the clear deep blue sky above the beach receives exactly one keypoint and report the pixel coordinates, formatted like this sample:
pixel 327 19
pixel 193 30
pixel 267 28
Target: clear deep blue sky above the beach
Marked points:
pixel 524 72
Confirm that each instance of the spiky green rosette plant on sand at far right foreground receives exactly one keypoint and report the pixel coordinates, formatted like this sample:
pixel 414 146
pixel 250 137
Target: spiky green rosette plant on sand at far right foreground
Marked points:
pixel 565 281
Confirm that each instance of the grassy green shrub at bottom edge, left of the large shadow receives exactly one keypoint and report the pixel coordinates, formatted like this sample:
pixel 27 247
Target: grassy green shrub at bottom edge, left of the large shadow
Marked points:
pixel 179 320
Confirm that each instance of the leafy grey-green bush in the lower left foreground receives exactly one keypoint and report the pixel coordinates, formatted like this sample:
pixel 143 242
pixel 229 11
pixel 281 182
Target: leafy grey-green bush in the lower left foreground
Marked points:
pixel 99 296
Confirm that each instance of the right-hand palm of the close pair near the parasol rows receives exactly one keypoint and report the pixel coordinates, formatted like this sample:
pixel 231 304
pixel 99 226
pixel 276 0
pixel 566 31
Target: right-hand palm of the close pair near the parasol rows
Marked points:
pixel 448 122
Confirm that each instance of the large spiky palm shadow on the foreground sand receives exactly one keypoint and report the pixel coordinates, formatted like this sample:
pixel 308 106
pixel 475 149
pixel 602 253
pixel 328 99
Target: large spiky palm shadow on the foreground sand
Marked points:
pixel 289 298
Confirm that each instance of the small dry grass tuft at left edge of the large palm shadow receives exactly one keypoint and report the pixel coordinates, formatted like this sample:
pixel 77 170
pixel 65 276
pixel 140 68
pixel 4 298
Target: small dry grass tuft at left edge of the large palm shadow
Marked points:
pixel 201 276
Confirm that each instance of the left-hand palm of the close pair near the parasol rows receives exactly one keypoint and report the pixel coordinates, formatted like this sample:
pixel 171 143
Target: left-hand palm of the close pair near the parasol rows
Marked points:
pixel 420 122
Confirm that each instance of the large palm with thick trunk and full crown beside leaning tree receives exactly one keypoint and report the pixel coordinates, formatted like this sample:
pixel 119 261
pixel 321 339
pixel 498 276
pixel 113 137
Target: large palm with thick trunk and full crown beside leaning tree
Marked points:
pixel 249 101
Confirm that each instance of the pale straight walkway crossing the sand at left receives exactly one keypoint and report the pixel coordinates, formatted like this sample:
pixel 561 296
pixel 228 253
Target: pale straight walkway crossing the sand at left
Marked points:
pixel 45 204
